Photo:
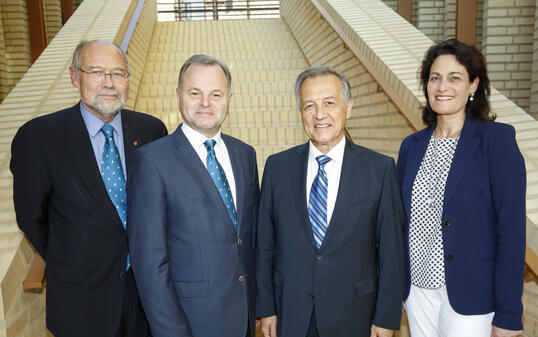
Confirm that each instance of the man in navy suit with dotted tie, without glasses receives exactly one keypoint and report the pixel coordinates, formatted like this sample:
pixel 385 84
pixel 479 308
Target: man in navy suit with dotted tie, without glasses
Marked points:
pixel 193 201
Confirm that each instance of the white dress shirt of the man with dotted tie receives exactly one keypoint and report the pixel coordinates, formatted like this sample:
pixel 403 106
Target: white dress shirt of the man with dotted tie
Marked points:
pixel 197 141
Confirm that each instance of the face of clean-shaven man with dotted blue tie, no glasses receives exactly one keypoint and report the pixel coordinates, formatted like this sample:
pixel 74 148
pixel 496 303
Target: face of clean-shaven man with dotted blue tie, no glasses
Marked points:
pixel 204 98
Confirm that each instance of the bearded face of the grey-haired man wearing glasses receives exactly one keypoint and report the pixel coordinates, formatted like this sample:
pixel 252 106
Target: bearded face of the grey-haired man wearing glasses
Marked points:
pixel 102 98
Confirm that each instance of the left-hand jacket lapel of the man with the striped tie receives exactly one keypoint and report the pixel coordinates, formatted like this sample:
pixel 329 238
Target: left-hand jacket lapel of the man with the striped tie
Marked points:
pixel 298 172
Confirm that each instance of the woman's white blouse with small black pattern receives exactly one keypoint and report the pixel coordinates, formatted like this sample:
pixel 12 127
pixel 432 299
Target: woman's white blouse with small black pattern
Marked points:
pixel 425 234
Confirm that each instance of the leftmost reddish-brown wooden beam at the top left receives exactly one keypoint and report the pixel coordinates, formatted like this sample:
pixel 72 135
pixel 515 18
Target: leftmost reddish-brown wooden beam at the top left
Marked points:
pixel 36 27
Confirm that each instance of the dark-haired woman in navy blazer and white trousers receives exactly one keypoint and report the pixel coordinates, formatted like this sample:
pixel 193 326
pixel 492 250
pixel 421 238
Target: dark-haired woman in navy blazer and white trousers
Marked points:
pixel 463 184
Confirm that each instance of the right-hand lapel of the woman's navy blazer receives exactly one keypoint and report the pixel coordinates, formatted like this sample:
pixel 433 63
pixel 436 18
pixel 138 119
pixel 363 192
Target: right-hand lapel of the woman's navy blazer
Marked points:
pixel 467 145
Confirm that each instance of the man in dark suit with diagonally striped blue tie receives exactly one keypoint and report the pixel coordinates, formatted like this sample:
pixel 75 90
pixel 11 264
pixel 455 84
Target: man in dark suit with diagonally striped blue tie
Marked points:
pixel 329 254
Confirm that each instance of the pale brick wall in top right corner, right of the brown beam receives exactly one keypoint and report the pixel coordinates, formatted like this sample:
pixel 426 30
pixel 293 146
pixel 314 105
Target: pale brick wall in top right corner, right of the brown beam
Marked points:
pixel 507 44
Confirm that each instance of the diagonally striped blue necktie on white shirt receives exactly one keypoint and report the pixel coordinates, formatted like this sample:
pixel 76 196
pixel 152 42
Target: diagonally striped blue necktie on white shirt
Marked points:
pixel 317 205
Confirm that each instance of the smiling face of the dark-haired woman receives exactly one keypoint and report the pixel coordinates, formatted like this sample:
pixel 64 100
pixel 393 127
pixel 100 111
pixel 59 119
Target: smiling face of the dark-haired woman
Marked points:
pixel 449 87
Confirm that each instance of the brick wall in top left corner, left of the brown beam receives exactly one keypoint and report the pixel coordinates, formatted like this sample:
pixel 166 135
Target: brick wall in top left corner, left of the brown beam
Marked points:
pixel 17 44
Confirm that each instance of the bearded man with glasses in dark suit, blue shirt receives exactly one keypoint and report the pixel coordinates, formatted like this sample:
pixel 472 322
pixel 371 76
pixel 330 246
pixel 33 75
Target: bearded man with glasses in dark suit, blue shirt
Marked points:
pixel 69 194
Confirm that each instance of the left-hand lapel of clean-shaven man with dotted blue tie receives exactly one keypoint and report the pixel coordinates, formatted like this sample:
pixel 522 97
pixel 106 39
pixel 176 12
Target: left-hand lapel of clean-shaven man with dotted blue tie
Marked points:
pixel 189 159
